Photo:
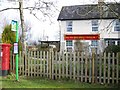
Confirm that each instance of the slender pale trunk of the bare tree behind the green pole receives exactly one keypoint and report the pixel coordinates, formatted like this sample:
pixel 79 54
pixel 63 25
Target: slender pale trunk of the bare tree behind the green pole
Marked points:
pixel 22 25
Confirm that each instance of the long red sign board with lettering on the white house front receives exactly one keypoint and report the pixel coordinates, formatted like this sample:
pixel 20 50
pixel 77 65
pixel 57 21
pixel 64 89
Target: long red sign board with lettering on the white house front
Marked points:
pixel 82 37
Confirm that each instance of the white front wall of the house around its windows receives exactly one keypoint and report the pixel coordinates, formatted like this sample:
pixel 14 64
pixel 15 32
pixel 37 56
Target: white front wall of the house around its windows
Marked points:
pixel 105 29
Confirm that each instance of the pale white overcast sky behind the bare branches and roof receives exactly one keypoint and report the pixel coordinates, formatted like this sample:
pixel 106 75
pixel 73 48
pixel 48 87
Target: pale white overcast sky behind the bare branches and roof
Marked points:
pixel 40 29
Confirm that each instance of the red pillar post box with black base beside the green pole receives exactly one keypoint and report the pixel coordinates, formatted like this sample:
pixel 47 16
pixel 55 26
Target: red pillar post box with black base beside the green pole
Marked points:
pixel 5 58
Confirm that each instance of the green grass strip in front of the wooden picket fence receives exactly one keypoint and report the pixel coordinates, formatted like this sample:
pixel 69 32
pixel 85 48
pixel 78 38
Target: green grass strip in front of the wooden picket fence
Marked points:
pixel 25 82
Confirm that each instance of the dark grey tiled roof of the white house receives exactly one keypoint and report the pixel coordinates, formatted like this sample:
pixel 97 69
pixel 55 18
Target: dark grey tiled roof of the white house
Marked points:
pixel 91 11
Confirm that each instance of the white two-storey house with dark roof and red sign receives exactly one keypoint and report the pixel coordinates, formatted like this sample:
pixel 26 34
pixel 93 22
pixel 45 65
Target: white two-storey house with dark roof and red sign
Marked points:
pixel 95 25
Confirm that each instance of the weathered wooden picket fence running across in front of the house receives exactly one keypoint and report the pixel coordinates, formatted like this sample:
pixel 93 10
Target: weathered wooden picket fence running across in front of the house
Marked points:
pixel 92 68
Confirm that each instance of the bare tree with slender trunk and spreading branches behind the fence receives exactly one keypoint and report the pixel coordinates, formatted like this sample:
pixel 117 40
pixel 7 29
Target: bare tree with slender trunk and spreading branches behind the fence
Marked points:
pixel 44 7
